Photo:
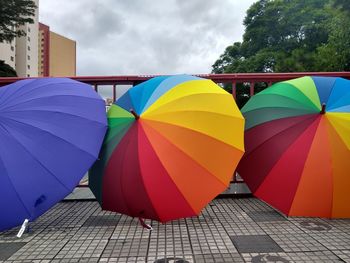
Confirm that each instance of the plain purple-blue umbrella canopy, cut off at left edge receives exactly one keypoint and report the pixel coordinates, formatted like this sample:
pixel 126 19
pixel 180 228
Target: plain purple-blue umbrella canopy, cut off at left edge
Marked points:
pixel 51 131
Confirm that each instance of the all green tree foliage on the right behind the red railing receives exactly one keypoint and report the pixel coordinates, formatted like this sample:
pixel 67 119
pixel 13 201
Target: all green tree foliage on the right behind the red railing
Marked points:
pixel 290 36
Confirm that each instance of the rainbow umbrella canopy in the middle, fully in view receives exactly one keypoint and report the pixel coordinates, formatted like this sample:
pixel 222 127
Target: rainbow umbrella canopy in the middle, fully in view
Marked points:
pixel 172 146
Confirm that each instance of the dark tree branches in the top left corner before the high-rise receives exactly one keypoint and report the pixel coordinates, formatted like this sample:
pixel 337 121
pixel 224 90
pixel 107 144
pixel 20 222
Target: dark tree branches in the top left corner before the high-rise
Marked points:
pixel 14 13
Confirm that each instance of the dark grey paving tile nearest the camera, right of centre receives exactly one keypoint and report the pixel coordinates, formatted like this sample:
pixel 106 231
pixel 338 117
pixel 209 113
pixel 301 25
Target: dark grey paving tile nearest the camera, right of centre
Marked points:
pixel 255 244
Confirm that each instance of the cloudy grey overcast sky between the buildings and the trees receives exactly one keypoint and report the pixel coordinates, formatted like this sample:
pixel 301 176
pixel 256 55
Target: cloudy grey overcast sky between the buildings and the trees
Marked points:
pixel 116 37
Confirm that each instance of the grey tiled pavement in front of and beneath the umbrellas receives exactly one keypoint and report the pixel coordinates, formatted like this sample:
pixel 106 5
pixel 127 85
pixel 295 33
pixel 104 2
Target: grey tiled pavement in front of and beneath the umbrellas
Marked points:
pixel 228 230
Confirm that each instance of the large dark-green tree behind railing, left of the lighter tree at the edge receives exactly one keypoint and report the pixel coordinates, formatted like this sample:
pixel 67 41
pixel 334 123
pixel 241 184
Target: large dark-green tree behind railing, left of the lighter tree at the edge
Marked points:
pixel 280 36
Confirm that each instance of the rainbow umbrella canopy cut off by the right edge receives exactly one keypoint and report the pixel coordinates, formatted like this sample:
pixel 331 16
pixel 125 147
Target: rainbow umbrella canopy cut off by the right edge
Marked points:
pixel 297 146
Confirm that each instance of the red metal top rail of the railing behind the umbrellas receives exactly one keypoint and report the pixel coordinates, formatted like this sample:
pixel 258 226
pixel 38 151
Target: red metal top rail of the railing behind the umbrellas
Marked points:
pixel 233 79
